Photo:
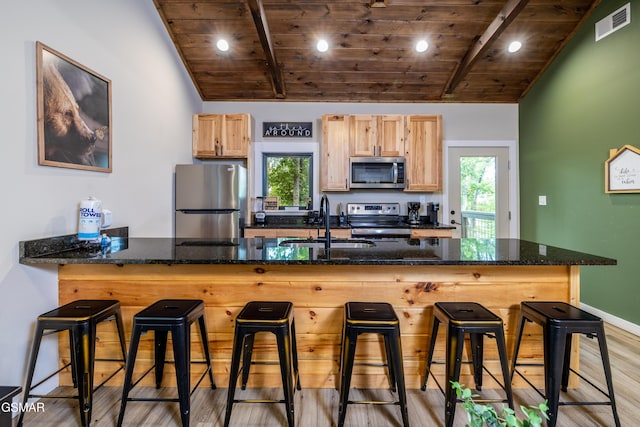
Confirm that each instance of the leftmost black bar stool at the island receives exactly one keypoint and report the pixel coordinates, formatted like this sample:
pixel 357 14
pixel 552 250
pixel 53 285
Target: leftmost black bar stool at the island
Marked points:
pixel 80 318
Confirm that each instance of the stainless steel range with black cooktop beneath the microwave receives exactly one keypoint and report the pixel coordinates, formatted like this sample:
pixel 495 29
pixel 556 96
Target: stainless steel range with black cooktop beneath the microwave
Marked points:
pixel 376 220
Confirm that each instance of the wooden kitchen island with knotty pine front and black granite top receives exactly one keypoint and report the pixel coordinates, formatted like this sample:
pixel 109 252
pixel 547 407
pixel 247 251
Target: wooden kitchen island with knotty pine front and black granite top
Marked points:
pixel 411 274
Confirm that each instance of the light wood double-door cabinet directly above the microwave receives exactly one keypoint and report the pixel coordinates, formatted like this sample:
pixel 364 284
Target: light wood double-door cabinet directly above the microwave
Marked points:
pixel 376 135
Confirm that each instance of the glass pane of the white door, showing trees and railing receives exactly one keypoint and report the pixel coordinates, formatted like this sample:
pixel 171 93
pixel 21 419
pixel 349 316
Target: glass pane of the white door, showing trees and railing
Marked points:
pixel 478 196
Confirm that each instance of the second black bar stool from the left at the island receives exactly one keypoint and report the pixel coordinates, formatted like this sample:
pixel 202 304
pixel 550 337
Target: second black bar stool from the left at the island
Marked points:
pixel 162 317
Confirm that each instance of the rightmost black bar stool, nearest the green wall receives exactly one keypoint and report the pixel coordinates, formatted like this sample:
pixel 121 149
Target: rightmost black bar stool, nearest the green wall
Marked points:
pixel 559 321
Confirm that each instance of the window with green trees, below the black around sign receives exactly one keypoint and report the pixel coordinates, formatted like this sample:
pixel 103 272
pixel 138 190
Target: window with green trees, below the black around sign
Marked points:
pixel 289 177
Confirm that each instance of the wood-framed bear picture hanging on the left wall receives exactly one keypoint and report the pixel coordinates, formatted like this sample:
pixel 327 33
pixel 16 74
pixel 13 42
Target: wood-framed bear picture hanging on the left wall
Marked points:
pixel 73 113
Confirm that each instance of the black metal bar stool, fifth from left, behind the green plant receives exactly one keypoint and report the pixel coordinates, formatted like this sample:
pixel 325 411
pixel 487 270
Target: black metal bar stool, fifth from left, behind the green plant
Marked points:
pixel 467 318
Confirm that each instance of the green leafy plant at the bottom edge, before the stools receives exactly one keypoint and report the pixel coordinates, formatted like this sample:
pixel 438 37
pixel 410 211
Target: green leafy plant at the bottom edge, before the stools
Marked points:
pixel 480 415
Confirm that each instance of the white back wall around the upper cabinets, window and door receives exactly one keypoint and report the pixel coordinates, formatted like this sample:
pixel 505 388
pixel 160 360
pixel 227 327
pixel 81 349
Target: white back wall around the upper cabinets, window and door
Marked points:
pixel 461 122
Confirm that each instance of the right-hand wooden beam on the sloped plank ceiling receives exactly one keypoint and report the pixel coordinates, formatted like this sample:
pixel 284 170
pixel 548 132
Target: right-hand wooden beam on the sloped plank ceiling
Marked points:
pixel 482 43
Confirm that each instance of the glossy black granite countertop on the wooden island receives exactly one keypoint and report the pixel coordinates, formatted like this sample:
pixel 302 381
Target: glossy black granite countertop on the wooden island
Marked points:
pixel 401 251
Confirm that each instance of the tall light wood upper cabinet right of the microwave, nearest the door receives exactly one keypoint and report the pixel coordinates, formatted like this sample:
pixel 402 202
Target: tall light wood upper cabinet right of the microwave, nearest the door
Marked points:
pixel 423 152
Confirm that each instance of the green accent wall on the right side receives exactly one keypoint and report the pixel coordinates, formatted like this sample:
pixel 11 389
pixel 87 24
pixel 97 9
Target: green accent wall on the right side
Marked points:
pixel 586 103
